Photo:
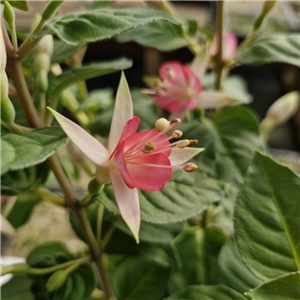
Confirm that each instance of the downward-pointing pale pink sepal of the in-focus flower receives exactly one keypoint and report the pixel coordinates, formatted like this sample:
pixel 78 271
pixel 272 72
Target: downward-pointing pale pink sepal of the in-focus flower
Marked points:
pixel 128 203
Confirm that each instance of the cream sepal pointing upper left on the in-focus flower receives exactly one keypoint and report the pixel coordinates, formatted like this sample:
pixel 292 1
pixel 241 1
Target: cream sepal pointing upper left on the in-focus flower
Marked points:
pixel 92 148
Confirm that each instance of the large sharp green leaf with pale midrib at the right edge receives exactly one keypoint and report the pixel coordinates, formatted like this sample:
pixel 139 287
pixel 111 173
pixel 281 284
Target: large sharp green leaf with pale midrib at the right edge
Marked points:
pixel 266 219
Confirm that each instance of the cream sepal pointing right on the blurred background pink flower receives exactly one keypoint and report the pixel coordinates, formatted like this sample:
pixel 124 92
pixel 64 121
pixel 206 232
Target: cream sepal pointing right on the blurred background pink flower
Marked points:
pixel 214 100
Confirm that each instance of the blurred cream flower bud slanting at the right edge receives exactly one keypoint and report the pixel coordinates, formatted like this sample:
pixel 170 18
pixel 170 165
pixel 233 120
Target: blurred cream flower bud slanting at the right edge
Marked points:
pixel 280 111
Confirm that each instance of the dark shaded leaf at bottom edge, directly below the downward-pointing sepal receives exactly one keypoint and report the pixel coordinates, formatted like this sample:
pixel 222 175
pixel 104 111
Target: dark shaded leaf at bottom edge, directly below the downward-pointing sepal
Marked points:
pixel 145 279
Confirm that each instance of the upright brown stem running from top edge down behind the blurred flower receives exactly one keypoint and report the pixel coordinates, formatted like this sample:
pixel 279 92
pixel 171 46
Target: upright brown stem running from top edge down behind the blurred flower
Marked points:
pixel 219 56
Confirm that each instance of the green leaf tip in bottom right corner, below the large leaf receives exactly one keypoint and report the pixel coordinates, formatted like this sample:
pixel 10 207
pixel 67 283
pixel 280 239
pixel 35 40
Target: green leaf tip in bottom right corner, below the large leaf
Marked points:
pixel 282 288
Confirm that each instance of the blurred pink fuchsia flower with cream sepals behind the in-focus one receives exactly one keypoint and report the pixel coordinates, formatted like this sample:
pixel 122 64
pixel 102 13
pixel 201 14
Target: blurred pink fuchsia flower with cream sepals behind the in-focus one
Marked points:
pixel 180 88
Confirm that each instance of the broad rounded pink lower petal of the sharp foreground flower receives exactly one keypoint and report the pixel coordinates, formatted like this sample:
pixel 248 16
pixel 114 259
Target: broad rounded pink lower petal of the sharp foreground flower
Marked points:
pixel 150 178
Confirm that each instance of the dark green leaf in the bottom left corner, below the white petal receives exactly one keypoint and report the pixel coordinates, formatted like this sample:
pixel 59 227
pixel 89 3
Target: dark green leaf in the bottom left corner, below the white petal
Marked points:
pixel 17 288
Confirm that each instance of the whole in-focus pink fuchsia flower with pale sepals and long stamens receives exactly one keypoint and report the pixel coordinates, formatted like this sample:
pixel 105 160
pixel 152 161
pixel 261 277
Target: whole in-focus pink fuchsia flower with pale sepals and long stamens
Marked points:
pixel 133 159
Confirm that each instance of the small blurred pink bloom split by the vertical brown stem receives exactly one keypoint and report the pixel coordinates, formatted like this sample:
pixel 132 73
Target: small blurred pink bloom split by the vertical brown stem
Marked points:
pixel 230 44
